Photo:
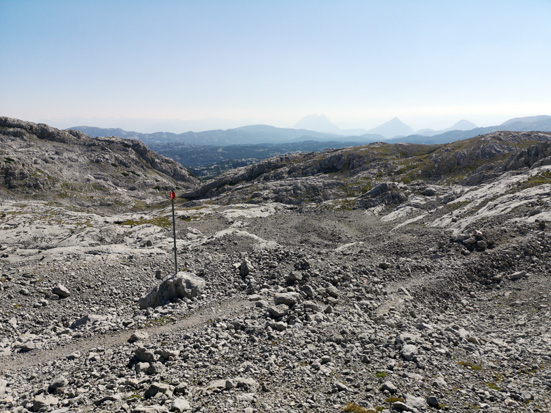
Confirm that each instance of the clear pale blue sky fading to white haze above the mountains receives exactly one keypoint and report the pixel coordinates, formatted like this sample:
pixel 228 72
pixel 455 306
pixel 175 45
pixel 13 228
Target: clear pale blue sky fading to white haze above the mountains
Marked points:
pixel 360 63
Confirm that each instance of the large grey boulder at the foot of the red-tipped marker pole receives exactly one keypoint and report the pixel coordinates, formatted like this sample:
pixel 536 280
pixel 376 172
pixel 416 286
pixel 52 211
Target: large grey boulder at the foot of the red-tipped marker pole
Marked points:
pixel 181 285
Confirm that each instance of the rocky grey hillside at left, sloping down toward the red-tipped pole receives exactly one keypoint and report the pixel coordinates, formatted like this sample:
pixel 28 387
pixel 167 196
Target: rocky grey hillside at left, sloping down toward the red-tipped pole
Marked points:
pixel 71 168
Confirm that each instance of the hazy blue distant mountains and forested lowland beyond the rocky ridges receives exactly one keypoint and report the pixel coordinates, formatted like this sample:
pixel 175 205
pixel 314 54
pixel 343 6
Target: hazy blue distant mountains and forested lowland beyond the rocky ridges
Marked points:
pixel 211 153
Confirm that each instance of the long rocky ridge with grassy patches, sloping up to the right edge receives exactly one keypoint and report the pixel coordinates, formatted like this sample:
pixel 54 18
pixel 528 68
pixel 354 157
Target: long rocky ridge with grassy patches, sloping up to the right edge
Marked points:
pixel 355 172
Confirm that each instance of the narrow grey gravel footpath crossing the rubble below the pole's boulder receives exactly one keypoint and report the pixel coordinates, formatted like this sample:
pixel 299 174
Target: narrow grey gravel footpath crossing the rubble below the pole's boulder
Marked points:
pixel 223 309
